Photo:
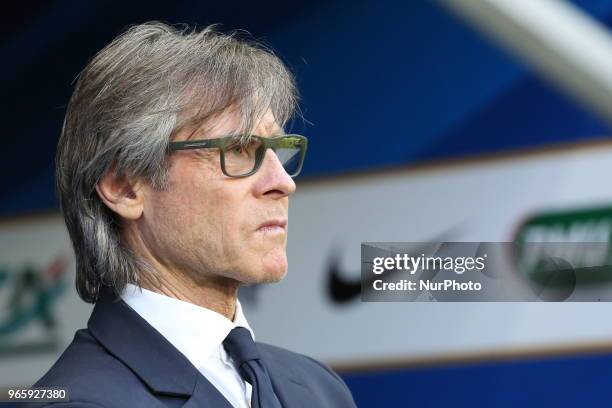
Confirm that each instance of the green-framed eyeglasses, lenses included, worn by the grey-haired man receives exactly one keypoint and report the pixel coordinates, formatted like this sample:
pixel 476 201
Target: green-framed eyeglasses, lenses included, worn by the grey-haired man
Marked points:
pixel 242 158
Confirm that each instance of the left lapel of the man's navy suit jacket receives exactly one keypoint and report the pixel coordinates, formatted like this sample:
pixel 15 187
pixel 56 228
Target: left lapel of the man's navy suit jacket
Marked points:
pixel 165 370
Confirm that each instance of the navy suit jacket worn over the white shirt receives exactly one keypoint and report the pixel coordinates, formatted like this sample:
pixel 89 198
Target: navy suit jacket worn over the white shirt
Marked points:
pixel 122 361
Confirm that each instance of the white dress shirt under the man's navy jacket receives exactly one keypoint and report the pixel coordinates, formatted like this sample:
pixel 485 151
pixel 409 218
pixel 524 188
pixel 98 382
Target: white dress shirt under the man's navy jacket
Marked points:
pixel 198 333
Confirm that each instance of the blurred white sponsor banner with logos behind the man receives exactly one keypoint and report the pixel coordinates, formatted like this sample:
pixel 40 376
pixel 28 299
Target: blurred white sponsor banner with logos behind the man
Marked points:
pixel 477 201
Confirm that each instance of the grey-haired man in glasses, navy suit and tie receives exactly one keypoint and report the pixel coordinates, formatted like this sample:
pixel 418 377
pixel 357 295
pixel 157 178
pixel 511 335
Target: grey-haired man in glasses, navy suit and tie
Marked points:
pixel 174 176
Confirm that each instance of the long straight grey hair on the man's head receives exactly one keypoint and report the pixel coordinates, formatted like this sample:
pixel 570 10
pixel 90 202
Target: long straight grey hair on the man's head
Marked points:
pixel 147 84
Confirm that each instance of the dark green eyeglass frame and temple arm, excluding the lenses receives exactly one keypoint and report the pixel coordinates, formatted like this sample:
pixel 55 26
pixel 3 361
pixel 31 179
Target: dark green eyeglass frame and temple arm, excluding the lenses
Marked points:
pixel 229 142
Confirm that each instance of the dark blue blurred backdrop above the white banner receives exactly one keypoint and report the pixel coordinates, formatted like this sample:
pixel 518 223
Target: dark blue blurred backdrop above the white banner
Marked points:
pixel 383 83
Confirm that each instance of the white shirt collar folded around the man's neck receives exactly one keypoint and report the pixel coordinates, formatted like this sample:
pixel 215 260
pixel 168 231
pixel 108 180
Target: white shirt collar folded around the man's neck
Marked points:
pixel 195 331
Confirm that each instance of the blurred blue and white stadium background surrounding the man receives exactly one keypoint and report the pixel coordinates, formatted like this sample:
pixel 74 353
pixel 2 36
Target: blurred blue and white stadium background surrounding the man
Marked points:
pixel 451 120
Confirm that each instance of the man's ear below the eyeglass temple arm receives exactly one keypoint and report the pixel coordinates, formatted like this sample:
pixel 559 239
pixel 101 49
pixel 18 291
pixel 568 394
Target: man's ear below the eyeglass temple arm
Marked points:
pixel 122 195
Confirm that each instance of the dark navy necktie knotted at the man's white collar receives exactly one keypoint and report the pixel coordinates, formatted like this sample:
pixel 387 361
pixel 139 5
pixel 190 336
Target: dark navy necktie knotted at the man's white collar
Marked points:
pixel 241 347
